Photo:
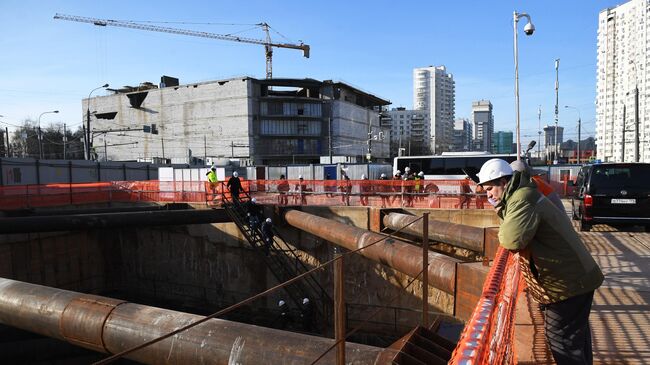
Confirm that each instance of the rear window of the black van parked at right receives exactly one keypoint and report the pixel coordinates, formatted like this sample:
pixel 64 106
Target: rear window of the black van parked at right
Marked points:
pixel 617 177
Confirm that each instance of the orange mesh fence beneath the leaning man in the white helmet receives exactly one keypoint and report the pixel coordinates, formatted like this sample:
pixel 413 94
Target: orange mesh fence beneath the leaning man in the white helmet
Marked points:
pixel 488 337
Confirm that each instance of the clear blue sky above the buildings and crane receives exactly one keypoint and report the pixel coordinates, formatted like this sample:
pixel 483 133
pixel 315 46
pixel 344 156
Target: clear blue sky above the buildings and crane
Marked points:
pixel 49 64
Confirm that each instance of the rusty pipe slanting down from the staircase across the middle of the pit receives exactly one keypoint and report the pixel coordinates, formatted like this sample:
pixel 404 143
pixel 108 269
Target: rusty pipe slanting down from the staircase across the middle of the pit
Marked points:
pixel 398 254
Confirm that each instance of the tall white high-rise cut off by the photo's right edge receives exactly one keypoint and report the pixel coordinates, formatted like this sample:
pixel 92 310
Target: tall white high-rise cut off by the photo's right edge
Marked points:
pixel 622 122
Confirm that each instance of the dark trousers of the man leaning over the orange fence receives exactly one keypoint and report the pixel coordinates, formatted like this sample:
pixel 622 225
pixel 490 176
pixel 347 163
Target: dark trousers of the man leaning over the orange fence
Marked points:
pixel 567 329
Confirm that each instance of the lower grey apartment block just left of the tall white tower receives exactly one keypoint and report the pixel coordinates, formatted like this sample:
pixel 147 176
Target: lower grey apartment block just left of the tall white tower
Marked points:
pixel 409 130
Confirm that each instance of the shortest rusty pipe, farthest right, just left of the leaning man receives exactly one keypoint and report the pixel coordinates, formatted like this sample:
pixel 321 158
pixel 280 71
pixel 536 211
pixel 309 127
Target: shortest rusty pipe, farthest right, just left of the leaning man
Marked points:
pixel 471 238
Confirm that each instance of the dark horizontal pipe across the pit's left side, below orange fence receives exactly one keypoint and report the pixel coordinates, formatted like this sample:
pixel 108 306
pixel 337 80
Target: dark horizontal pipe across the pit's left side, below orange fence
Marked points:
pixel 77 222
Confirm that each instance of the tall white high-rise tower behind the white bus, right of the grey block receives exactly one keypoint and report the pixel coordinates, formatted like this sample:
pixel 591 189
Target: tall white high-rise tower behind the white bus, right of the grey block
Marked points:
pixel 434 91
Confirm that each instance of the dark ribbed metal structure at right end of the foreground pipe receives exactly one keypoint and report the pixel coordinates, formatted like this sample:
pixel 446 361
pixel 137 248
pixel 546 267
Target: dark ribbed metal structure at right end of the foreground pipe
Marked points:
pixel 422 346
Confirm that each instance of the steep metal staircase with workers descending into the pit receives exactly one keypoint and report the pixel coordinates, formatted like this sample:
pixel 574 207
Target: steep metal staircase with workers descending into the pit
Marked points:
pixel 283 262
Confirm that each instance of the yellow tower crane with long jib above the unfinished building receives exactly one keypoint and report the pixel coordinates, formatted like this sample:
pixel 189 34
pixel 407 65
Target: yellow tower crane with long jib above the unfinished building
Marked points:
pixel 267 43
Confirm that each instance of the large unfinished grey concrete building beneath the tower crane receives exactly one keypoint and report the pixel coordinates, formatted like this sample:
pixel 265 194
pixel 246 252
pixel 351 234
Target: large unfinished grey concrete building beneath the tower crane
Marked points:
pixel 262 122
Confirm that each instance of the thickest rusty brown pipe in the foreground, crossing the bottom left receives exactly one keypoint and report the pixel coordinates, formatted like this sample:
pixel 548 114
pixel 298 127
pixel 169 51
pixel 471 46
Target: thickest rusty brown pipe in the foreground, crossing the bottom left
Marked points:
pixel 110 326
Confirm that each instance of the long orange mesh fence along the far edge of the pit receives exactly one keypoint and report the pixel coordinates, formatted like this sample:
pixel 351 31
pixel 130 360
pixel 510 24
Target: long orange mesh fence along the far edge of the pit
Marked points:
pixel 448 194
